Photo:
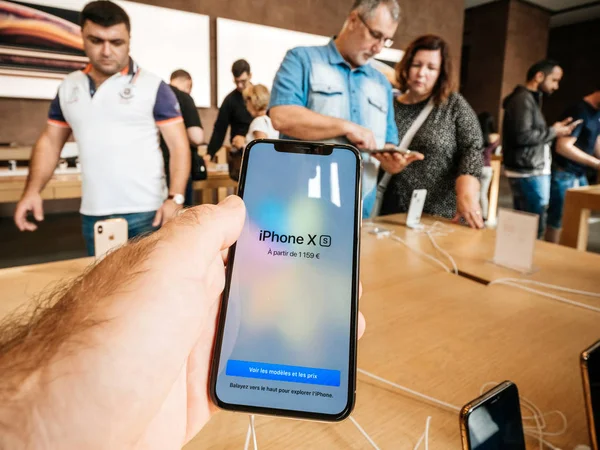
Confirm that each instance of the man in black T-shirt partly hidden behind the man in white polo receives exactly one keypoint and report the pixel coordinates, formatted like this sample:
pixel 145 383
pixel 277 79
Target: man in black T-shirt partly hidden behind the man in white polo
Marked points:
pixel 181 84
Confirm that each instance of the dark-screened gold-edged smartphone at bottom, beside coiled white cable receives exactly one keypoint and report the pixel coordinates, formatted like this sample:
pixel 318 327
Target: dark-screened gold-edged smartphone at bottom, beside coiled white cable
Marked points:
pixel 493 421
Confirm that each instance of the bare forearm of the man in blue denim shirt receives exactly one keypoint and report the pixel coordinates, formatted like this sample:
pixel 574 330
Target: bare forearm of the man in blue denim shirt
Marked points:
pixel 302 123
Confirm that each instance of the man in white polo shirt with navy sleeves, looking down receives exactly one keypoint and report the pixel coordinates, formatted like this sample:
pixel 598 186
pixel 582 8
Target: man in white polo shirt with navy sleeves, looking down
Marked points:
pixel 114 110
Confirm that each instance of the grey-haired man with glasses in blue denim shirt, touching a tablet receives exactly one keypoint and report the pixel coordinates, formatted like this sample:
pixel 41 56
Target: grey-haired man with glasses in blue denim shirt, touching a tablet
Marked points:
pixel 332 94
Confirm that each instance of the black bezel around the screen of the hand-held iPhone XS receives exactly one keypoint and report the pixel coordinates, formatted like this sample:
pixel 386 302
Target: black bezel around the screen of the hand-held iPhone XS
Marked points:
pixel 313 149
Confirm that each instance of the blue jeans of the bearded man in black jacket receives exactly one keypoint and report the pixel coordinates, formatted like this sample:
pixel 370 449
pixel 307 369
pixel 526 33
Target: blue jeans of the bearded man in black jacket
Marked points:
pixel 532 195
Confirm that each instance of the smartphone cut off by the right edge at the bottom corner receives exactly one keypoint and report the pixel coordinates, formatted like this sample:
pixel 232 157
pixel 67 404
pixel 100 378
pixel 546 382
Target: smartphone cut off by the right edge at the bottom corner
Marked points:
pixel 590 371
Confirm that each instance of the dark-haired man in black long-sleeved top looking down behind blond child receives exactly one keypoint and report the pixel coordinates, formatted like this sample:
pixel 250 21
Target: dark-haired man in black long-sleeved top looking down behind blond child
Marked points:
pixel 233 110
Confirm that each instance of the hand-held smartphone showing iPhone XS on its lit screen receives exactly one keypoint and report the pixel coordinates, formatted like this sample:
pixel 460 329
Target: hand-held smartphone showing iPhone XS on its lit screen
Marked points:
pixel 287 328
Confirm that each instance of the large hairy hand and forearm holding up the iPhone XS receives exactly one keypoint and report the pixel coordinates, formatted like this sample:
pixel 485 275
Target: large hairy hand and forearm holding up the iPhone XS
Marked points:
pixel 131 369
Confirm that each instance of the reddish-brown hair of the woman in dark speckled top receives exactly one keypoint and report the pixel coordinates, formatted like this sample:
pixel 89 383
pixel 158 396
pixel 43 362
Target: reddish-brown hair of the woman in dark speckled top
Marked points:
pixel 445 84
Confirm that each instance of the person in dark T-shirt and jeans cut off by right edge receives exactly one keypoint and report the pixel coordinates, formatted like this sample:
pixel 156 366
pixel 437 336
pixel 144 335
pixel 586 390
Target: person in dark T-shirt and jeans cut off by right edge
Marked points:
pixel 573 155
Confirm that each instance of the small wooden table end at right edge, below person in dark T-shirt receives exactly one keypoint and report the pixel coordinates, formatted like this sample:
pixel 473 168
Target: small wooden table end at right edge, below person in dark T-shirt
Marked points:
pixel 579 203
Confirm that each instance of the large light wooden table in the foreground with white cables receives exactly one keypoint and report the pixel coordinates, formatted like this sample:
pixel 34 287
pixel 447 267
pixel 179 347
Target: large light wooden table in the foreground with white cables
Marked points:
pixel 437 333
